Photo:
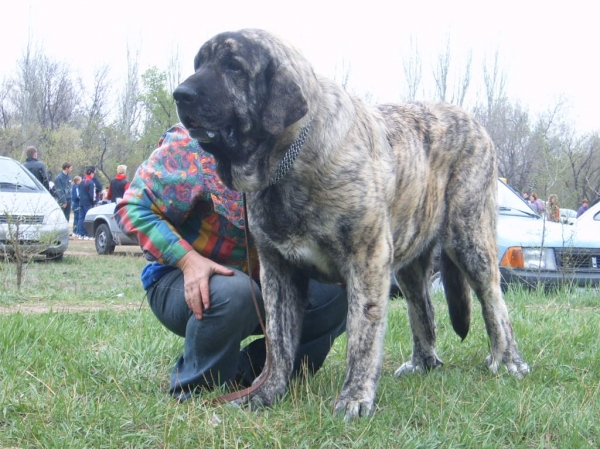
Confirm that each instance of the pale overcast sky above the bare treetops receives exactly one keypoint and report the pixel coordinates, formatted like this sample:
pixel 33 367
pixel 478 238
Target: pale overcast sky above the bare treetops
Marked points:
pixel 547 48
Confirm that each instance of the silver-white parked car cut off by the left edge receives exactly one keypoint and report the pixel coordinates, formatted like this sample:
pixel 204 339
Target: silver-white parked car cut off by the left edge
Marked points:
pixel 29 215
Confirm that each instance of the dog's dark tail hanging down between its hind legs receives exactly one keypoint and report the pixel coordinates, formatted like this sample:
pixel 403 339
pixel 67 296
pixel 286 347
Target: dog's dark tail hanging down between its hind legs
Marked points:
pixel 458 295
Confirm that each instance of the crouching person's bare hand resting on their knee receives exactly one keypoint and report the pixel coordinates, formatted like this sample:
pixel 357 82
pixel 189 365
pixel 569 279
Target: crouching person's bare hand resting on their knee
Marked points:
pixel 197 271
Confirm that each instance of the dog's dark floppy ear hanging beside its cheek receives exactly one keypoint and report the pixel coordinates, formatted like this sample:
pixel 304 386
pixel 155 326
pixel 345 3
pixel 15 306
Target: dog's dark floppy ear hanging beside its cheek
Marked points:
pixel 286 103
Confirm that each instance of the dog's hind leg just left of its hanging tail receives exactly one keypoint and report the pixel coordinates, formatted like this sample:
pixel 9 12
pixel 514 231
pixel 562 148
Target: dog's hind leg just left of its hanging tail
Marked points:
pixel 414 283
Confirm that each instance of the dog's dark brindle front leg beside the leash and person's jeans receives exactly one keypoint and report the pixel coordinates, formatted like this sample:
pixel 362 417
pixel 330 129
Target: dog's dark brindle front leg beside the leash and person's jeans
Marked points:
pixel 285 293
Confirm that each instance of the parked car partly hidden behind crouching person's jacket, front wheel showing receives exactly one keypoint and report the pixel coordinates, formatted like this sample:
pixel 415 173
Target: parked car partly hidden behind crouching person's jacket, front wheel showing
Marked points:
pixel 100 223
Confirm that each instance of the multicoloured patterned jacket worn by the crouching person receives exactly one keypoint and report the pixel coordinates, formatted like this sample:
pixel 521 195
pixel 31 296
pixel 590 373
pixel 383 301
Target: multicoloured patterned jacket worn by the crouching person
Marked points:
pixel 176 203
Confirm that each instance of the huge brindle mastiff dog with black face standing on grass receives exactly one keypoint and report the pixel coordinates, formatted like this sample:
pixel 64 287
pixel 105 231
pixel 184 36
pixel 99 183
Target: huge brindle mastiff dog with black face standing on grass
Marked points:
pixel 352 193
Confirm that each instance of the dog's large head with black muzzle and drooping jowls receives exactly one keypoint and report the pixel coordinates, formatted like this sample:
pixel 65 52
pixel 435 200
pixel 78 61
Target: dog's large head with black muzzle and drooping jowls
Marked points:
pixel 247 89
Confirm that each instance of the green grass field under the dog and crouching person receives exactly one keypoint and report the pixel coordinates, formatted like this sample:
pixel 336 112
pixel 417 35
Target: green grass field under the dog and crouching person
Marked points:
pixel 84 364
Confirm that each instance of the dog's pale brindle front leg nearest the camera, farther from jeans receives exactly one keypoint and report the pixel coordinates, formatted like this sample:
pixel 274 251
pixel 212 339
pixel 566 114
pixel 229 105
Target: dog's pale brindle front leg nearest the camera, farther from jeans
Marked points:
pixel 368 292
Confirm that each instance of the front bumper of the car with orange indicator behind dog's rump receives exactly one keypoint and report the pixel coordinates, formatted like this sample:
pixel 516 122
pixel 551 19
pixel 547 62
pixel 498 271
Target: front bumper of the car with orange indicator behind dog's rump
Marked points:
pixel 533 279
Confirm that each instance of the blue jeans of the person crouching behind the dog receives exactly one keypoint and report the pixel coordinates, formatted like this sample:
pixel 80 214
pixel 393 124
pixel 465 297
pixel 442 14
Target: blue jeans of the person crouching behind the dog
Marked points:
pixel 212 354
